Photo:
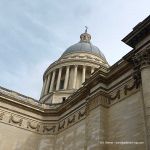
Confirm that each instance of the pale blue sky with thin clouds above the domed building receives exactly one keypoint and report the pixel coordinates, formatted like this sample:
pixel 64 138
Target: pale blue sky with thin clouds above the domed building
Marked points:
pixel 34 33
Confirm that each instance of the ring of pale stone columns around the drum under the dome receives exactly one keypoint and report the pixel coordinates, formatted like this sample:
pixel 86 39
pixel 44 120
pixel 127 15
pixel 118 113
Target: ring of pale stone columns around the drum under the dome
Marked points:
pixel 65 78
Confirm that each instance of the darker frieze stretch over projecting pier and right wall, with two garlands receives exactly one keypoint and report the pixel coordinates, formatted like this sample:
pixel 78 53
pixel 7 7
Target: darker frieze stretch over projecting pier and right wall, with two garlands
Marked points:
pixel 106 99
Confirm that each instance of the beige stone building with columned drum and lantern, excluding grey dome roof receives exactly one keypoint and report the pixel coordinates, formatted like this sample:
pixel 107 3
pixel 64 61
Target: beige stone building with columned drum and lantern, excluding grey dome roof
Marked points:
pixel 107 111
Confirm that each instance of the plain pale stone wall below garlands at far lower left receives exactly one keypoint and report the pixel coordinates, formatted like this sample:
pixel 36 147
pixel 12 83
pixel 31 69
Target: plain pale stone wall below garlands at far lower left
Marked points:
pixel 12 138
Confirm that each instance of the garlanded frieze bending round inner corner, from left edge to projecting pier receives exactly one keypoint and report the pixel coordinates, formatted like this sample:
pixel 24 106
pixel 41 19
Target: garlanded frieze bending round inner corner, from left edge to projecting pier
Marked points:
pixel 39 126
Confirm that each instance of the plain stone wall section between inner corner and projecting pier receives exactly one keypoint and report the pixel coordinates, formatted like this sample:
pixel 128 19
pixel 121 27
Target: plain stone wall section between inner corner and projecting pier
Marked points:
pixel 72 138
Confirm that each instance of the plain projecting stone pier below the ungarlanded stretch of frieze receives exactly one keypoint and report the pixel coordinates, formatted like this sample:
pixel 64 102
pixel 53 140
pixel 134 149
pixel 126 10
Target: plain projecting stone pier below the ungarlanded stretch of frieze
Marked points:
pixel 96 125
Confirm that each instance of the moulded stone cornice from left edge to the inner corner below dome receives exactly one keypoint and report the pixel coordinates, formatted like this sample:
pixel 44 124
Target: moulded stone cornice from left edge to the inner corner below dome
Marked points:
pixel 24 102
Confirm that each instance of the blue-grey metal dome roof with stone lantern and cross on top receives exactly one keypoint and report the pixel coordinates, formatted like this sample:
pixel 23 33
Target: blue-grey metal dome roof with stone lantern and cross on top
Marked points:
pixel 84 46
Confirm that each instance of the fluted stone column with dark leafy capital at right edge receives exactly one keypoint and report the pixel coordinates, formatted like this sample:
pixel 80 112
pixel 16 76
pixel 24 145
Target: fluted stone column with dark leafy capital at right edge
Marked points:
pixel 141 62
